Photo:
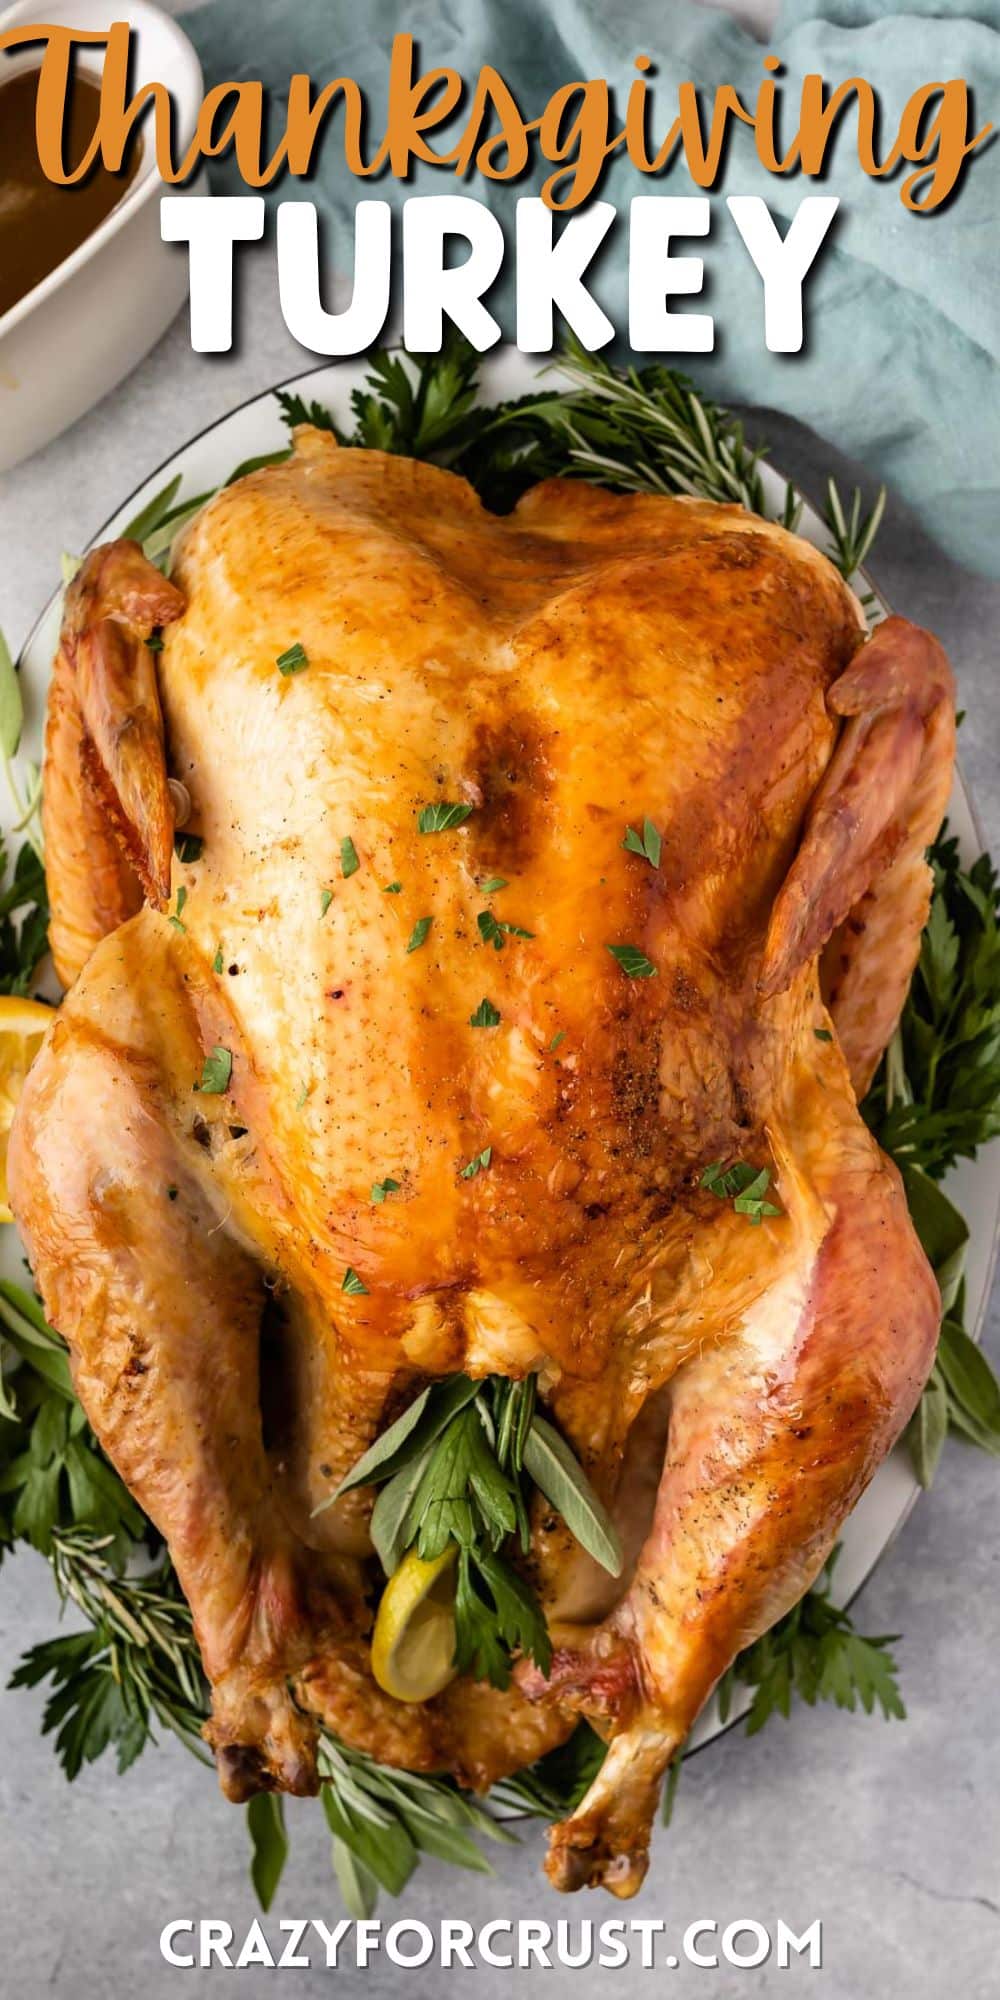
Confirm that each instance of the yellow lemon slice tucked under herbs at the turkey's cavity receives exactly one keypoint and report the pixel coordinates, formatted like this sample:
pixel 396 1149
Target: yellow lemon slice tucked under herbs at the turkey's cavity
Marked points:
pixel 413 1641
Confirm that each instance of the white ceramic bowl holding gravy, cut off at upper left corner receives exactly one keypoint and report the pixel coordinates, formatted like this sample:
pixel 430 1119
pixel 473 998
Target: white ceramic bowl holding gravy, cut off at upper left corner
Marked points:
pixel 77 333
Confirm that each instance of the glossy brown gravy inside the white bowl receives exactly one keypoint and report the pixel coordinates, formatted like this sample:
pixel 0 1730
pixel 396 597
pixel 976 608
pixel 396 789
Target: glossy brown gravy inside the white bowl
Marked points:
pixel 41 225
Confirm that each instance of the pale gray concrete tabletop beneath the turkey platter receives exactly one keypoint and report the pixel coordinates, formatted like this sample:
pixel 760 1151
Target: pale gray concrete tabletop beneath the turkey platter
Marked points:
pixel 891 1835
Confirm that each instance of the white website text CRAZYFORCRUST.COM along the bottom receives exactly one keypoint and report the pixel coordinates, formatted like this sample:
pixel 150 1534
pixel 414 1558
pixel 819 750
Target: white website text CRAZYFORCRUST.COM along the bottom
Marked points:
pixel 509 1943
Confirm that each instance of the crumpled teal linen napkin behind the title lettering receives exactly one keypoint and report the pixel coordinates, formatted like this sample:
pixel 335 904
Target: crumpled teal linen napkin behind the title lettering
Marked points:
pixel 903 313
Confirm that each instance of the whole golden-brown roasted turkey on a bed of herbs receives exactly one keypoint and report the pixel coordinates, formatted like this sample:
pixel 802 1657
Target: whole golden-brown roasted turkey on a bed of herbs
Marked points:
pixel 729 1385
